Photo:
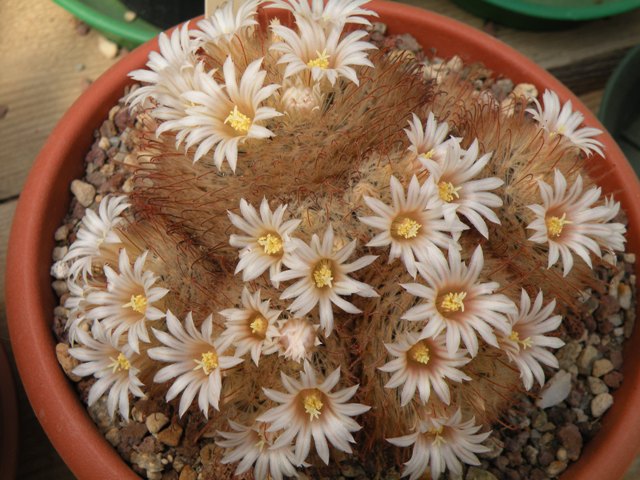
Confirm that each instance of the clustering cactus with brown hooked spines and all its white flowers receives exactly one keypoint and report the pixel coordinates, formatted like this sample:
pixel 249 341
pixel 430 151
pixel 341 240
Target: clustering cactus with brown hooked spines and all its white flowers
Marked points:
pixel 321 241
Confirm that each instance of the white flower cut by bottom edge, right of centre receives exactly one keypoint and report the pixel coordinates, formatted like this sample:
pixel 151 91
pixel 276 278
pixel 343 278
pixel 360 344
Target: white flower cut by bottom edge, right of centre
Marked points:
pixel 441 443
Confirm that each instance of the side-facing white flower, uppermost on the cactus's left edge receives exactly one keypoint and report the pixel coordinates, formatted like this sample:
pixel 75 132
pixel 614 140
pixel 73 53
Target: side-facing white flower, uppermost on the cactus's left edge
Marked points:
pixel 96 235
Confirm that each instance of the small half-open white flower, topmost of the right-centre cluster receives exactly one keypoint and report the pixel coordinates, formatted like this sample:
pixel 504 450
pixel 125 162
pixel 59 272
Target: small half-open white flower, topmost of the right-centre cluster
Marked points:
pixel 431 142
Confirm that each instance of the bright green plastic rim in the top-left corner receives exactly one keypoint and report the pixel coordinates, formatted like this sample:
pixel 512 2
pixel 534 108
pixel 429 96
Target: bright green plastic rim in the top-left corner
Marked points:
pixel 107 16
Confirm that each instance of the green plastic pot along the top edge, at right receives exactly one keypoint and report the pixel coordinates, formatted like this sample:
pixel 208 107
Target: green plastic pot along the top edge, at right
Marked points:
pixel 545 14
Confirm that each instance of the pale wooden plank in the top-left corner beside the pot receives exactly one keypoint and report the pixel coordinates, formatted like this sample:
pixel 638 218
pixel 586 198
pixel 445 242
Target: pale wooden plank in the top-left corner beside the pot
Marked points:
pixel 45 66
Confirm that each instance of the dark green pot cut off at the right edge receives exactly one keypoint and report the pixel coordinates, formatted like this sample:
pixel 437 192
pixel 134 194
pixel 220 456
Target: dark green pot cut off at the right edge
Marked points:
pixel 620 107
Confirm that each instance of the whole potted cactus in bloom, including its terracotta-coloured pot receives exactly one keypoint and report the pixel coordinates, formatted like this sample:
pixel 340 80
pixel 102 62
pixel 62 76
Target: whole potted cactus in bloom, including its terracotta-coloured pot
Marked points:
pixel 334 252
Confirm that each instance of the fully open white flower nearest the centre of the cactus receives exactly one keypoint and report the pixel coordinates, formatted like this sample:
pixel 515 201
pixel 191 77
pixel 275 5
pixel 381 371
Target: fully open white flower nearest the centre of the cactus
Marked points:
pixel 323 278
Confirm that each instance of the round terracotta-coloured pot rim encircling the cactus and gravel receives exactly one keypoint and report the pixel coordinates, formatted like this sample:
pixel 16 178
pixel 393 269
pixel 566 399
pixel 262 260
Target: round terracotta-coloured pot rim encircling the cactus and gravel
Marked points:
pixel 45 199
